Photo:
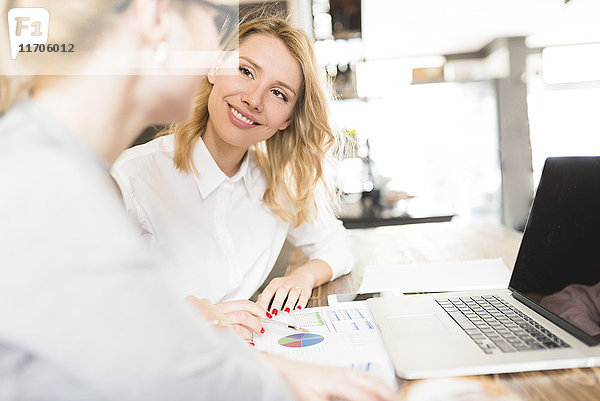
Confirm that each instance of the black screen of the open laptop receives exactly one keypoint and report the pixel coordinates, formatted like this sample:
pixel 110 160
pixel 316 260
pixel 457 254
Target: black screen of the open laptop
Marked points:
pixel 558 265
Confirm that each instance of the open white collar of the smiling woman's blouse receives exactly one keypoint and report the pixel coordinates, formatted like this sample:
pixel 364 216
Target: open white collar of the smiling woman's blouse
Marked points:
pixel 210 176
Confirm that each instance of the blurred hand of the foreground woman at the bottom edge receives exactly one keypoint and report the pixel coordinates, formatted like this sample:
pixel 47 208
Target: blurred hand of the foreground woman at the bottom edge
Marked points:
pixel 323 383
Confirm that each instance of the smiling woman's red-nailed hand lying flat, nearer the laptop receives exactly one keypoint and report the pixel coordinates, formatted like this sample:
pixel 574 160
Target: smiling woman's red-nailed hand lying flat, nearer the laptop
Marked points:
pixel 294 289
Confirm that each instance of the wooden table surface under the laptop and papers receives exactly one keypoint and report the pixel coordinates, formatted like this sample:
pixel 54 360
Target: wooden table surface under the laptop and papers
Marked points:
pixel 452 242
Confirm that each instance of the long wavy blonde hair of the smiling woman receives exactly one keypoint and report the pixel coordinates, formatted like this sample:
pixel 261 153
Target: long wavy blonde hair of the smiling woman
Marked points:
pixel 293 160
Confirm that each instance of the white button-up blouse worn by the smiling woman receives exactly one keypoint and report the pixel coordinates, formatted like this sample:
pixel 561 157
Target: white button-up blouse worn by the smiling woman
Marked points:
pixel 219 237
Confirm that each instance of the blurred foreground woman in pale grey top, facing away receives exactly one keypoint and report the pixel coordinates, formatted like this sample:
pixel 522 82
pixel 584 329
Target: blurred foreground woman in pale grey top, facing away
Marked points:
pixel 87 313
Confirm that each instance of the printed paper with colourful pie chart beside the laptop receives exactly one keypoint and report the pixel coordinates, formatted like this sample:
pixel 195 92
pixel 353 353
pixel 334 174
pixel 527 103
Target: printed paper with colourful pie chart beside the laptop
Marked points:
pixel 342 335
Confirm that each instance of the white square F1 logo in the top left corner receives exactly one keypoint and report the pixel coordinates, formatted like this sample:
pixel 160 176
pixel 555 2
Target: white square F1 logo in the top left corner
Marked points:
pixel 27 26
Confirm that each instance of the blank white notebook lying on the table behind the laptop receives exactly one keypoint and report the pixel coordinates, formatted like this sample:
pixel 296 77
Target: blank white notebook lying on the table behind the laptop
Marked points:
pixel 436 277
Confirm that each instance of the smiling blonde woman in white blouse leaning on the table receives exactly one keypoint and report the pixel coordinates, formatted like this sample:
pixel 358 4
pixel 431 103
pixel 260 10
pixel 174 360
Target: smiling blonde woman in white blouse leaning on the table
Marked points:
pixel 221 192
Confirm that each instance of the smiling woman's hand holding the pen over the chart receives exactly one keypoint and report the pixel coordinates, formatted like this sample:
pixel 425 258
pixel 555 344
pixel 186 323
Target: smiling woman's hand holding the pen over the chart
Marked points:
pixel 243 317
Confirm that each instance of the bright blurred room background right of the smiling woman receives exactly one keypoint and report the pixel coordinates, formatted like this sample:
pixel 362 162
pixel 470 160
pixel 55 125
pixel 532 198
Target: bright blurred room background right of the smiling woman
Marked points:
pixel 453 106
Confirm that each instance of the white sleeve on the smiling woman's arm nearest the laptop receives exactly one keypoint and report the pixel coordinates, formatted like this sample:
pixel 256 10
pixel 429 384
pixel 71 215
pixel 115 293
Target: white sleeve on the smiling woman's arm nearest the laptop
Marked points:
pixel 325 239
